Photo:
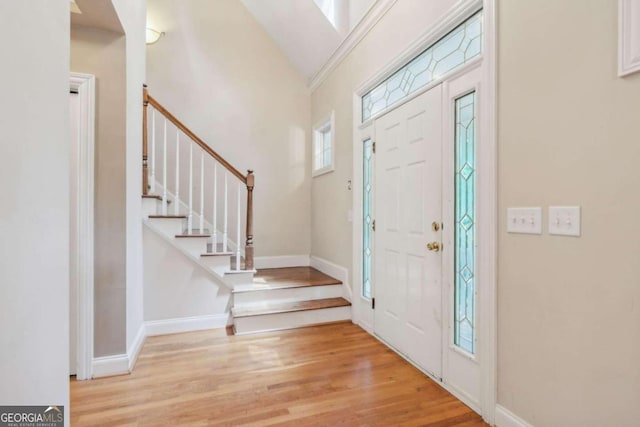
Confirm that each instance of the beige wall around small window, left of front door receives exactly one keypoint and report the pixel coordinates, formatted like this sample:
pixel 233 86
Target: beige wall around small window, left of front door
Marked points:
pixel 331 232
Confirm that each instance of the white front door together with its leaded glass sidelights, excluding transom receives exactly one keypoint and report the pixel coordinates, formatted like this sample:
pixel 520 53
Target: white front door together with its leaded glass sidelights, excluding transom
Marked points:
pixel 422 261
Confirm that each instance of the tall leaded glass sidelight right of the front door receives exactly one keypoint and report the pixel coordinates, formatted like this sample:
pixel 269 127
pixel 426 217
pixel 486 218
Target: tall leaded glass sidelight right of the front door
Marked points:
pixel 465 222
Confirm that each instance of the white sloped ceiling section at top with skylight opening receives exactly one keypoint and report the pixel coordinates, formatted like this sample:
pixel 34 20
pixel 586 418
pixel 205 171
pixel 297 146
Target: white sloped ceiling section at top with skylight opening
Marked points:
pixel 303 32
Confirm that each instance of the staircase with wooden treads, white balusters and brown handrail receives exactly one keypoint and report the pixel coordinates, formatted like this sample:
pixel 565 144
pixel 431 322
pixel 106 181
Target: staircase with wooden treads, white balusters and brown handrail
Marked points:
pixel 203 225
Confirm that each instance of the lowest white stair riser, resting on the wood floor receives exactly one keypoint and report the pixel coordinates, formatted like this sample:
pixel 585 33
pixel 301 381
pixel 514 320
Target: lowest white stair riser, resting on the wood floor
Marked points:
pixel 296 319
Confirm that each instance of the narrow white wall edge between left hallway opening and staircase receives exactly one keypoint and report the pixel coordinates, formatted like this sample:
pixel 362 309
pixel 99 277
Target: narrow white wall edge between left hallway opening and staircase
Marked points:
pixel 133 16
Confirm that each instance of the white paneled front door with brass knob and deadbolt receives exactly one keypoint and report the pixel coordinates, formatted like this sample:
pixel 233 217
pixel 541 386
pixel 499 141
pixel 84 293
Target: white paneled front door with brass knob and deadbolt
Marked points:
pixel 408 265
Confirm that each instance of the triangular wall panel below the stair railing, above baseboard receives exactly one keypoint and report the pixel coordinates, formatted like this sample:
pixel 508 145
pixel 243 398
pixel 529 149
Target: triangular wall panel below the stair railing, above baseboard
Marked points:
pixel 176 287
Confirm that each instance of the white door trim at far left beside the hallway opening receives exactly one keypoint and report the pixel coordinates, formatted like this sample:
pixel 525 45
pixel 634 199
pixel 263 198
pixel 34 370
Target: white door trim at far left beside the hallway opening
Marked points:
pixel 84 85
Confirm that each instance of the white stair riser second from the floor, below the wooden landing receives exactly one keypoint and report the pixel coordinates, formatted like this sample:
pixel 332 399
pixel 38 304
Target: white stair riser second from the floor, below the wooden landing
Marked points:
pixel 257 298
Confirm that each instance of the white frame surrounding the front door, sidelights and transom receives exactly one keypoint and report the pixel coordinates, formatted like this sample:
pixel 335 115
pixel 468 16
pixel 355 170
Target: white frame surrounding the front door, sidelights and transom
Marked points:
pixel 486 185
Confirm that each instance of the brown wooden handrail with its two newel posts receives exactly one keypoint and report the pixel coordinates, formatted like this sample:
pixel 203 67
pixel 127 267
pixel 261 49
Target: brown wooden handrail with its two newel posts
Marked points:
pixel 248 180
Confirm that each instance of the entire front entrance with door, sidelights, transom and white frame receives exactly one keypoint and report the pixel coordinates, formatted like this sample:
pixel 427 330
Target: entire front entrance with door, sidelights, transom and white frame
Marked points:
pixel 424 266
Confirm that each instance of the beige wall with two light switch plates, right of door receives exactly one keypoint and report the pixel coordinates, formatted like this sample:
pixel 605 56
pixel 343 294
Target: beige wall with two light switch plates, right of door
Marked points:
pixel 569 322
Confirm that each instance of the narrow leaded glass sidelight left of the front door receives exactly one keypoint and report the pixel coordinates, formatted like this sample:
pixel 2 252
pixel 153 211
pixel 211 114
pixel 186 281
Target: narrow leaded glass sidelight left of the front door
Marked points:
pixel 367 215
